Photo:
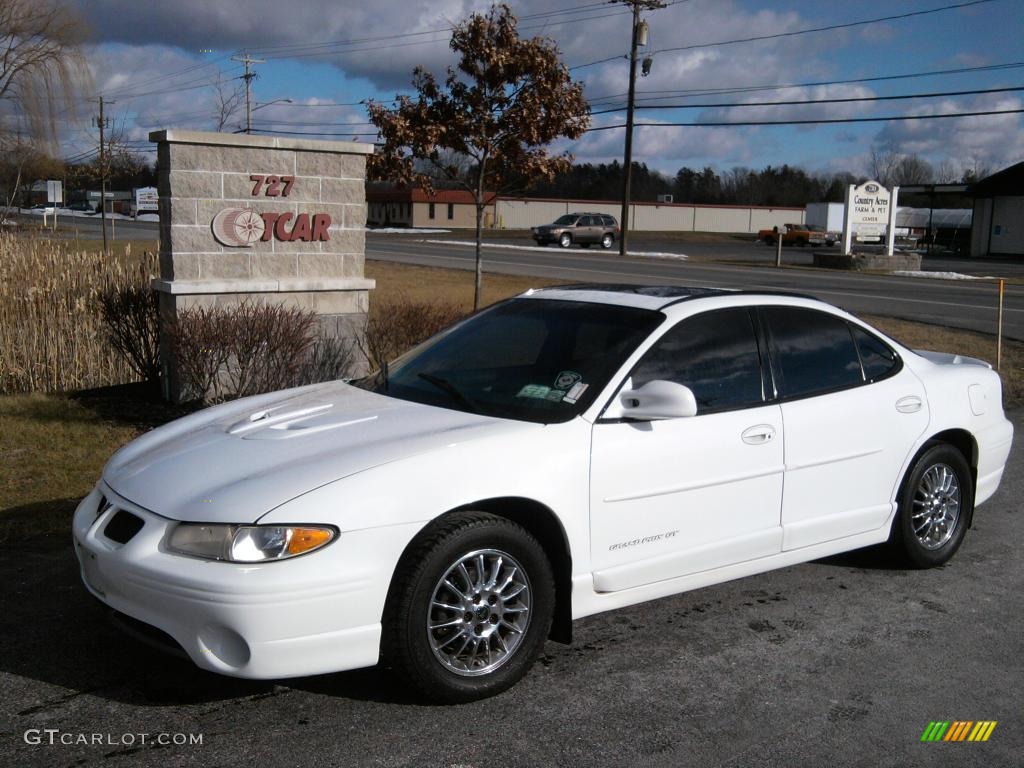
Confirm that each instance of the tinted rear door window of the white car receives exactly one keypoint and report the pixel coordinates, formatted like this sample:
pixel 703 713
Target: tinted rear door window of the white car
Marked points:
pixel 815 352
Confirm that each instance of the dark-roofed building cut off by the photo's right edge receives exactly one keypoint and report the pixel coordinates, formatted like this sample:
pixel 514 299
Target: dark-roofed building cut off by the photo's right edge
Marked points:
pixel 999 215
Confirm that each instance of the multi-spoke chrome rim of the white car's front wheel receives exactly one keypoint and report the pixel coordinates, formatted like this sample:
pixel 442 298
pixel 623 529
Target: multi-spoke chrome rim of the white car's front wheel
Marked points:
pixel 480 613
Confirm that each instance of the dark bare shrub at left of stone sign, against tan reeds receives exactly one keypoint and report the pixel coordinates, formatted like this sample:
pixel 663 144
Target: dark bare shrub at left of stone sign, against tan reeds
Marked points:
pixel 132 315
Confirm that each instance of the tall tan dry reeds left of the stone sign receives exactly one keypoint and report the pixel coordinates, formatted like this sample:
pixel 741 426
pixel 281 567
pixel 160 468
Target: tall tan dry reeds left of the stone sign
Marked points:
pixel 53 337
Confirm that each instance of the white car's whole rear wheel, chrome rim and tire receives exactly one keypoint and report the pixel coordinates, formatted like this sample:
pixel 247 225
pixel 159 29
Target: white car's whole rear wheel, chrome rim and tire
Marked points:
pixel 935 505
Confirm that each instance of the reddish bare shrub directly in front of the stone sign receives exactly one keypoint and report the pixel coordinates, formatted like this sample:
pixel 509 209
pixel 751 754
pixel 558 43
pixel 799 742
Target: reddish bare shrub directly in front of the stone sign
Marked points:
pixel 239 352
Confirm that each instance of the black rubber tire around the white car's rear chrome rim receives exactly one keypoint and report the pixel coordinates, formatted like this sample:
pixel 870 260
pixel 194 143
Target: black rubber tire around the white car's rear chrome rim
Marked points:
pixel 905 541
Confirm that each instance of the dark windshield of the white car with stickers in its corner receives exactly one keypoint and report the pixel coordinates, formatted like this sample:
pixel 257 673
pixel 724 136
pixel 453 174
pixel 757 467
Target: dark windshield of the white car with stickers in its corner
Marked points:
pixel 533 360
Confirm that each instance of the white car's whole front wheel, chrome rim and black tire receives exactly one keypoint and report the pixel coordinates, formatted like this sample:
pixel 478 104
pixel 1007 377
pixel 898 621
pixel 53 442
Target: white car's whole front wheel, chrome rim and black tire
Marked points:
pixel 471 608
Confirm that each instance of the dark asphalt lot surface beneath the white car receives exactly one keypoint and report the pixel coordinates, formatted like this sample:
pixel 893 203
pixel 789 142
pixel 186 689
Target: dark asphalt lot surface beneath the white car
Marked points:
pixel 843 662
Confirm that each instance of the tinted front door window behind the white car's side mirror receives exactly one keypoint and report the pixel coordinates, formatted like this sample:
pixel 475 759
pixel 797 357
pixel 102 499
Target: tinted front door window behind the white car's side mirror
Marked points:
pixel 715 355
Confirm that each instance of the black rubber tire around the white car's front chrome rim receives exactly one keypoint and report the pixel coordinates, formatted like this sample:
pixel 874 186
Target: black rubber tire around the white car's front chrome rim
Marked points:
pixel 407 643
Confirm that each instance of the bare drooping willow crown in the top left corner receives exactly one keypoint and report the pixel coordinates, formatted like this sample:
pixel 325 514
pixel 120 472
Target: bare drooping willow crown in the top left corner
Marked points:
pixel 41 62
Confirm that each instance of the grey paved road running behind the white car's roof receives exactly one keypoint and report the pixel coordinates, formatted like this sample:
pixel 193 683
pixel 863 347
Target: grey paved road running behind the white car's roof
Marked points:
pixel 970 305
